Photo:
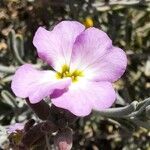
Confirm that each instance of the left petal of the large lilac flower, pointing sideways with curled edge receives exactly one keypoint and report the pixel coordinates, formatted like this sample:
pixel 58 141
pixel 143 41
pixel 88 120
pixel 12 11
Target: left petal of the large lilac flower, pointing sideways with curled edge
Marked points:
pixel 36 84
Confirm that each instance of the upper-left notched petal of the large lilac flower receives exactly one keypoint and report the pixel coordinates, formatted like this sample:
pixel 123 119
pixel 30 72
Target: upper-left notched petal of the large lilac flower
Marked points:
pixel 55 46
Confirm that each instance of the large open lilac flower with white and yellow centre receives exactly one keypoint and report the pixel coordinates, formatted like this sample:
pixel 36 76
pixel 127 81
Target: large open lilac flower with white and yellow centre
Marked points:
pixel 85 64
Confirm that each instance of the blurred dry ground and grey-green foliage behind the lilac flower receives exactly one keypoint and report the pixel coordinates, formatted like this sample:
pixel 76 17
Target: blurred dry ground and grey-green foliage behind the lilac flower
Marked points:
pixel 127 22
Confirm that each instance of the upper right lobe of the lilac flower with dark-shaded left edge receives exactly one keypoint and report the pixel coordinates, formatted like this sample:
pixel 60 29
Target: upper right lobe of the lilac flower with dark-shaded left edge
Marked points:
pixel 90 45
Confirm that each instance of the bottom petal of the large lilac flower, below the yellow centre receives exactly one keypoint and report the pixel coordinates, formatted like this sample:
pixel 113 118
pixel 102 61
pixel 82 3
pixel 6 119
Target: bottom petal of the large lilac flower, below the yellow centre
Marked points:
pixel 84 96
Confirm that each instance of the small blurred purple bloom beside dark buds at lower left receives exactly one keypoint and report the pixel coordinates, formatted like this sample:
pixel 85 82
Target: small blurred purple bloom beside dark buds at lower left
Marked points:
pixel 15 127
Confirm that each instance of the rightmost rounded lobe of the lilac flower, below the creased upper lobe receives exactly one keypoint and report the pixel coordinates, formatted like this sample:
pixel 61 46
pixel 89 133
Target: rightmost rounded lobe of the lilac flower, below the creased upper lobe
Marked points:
pixel 108 68
